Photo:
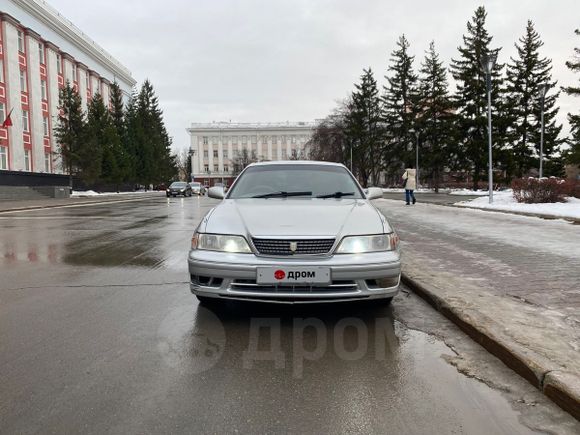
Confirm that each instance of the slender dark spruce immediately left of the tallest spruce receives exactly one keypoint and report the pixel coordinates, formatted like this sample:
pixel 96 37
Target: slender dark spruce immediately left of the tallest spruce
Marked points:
pixel 435 117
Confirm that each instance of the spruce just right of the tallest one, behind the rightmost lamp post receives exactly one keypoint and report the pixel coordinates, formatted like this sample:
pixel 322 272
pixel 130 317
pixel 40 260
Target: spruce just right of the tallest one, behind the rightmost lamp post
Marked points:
pixel 525 75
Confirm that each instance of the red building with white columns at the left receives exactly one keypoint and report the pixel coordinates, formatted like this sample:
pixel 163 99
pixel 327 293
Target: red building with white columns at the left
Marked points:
pixel 40 51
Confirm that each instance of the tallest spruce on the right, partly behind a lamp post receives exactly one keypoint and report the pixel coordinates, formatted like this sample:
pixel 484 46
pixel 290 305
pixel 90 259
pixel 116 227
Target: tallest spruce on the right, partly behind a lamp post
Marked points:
pixel 471 99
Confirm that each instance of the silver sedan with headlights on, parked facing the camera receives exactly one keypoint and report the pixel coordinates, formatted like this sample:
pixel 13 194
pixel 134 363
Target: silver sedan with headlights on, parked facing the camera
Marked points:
pixel 295 232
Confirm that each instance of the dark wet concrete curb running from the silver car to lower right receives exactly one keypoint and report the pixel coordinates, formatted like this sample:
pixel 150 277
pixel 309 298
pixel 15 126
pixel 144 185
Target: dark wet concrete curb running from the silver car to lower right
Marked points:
pixel 562 387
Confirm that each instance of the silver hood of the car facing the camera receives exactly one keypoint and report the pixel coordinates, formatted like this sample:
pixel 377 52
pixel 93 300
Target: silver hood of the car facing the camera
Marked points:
pixel 293 217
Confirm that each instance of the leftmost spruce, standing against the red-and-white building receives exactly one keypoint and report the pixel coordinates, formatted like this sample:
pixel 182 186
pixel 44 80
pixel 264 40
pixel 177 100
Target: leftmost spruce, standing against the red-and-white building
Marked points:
pixel 70 131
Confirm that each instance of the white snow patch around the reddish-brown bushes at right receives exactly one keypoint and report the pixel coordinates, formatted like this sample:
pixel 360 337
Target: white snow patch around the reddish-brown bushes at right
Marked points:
pixel 505 201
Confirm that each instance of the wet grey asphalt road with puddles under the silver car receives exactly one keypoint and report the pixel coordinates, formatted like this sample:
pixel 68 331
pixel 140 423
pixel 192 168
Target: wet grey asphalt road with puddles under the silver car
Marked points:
pixel 100 334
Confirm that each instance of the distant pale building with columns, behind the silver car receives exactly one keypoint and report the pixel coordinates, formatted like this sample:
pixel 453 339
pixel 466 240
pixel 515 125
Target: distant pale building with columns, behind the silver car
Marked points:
pixel 216 147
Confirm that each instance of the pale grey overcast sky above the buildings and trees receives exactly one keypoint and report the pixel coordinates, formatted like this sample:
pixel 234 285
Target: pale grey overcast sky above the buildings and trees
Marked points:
pixel 279 60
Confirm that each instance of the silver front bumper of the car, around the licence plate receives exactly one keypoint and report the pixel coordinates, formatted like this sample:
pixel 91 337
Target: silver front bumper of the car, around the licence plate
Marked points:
pixel 354 277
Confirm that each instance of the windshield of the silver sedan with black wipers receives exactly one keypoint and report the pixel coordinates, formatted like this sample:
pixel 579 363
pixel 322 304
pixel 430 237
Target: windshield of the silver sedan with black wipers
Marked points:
pixel 298 180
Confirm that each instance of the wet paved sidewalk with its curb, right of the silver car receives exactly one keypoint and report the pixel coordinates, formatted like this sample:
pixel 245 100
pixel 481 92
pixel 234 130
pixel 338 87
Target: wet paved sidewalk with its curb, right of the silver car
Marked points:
pixel 511 282
